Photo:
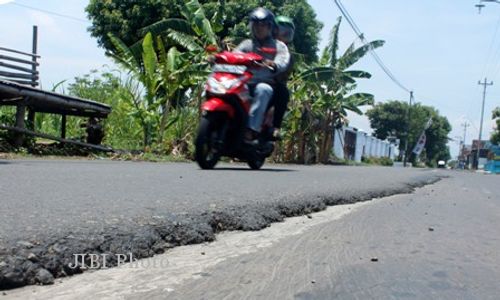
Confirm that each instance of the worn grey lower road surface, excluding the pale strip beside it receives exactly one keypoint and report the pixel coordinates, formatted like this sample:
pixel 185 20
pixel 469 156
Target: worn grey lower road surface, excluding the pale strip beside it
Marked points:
pixel 442 242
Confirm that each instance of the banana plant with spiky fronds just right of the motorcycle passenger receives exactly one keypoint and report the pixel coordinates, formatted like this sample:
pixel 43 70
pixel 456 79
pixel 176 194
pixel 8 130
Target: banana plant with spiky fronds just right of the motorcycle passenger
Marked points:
pixel 332 84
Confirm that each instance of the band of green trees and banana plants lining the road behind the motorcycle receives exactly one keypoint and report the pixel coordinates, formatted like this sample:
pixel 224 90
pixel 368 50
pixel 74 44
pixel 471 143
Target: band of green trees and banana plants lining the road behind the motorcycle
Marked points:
pixel 155 90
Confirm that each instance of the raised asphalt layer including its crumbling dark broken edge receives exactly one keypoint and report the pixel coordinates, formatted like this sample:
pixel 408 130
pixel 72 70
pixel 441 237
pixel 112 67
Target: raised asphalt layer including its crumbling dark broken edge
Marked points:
pixel 54 210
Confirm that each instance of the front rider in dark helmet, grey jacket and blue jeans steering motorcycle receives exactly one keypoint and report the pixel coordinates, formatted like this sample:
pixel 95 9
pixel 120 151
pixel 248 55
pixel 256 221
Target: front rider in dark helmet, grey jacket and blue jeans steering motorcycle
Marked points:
pixel 276 56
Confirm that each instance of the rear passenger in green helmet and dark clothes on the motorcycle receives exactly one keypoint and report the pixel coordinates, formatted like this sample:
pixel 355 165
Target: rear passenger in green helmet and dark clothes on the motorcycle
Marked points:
pixel 285 30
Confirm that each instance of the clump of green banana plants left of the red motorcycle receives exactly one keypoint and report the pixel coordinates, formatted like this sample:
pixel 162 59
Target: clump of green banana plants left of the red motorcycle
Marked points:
pixel 166 63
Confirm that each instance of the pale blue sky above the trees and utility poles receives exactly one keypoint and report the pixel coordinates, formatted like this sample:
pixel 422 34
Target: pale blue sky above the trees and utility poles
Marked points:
pixel 438 49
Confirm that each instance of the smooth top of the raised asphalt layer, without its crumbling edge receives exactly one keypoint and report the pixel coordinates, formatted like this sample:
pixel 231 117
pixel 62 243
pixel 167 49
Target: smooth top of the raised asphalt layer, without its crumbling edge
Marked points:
pixel 44 197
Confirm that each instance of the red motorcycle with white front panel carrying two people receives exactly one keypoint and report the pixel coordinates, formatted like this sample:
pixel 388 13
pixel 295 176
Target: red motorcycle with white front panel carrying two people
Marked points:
pixel 225 114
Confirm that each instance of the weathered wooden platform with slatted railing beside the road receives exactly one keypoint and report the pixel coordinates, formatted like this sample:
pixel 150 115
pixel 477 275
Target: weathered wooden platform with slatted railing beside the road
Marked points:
pixel 19 79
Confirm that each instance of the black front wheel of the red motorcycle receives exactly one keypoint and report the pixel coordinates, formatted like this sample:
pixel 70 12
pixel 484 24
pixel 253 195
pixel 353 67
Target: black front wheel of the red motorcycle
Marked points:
pixel 206 154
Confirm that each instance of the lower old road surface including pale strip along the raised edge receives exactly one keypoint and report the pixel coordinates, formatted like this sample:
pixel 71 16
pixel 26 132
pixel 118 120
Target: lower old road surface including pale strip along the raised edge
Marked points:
pixel 440 242
